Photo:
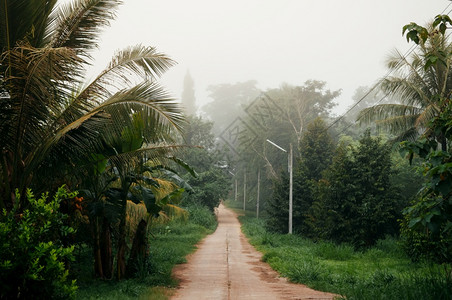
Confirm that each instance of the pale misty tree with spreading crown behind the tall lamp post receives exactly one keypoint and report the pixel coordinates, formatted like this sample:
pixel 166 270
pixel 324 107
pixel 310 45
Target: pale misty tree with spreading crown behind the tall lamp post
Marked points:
pixel 282 120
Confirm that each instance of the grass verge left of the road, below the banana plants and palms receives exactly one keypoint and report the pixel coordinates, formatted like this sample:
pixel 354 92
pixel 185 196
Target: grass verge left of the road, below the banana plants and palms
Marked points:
pixel 169 244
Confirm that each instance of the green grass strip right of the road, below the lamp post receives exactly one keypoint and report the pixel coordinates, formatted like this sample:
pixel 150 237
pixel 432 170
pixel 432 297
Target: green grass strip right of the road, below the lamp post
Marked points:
pixel 382 272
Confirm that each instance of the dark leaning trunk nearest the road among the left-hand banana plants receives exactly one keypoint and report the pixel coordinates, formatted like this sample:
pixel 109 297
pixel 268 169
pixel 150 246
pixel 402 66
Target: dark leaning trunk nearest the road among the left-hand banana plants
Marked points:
pixel 138 253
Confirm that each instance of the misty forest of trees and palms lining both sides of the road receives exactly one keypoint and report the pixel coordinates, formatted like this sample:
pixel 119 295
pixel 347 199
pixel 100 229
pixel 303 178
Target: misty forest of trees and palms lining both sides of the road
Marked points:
pixel 78 157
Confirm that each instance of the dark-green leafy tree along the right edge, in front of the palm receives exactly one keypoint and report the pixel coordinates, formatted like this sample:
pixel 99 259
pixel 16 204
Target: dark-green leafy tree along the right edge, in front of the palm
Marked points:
pixel 427 223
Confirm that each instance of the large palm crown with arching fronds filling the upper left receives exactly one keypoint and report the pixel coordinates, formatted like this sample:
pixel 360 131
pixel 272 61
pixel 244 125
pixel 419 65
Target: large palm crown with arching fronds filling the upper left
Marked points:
pixel 49 115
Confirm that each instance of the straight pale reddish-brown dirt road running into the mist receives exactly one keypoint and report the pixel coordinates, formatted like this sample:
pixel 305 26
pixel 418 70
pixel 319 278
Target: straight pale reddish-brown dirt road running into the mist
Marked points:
pixel 226 266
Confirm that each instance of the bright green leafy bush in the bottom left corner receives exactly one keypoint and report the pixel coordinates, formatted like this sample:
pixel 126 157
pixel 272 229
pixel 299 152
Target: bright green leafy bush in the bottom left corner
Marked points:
pixel 33 259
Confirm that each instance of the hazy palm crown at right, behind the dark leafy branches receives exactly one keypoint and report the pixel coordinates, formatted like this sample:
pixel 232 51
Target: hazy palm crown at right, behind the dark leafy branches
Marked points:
pixel 418 89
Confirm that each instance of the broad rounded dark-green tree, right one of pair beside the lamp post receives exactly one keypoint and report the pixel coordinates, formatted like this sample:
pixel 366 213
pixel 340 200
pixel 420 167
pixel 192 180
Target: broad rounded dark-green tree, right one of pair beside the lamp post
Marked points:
pixel 357 202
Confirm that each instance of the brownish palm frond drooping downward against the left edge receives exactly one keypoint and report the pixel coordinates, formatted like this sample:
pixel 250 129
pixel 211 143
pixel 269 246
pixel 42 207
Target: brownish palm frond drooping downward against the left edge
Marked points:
pixel 37 89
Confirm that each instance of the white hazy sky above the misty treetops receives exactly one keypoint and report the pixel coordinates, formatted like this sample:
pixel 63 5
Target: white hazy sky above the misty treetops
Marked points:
pixel 344 43
